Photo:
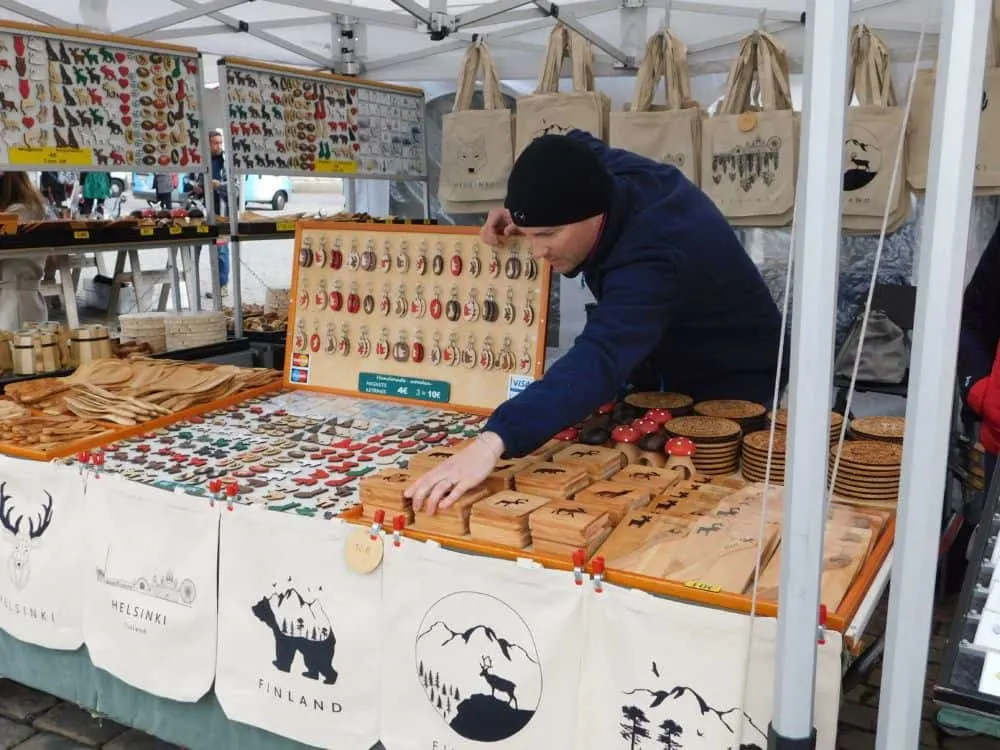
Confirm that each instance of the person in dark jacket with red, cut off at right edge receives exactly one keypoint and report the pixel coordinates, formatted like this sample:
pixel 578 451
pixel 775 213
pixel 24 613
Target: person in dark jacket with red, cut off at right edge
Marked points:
pixel 979 347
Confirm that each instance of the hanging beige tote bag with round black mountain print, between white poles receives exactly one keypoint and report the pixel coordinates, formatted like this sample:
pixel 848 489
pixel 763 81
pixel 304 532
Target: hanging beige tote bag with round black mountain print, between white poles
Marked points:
pixel 872 135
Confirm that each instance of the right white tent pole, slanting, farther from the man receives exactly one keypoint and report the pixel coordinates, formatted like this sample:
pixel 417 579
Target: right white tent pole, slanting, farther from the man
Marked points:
pixel 951 171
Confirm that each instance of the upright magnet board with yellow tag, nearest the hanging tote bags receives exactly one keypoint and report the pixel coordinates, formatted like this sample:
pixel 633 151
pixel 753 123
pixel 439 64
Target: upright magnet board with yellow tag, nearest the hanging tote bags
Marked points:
pixel 288 121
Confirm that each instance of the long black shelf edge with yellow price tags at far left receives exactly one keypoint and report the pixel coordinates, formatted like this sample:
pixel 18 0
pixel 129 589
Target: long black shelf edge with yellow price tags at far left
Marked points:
pixel 88 236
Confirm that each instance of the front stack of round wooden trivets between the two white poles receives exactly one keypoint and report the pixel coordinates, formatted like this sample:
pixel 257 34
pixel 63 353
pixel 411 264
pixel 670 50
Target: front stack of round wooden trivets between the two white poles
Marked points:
pixel 869 472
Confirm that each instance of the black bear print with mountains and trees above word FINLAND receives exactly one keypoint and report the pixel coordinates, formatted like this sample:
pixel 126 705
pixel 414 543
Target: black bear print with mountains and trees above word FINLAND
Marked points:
pixel 299 627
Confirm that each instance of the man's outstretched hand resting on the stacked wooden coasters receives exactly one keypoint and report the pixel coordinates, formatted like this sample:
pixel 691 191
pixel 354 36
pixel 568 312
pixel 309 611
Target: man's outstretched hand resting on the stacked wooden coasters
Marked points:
pixel 451 479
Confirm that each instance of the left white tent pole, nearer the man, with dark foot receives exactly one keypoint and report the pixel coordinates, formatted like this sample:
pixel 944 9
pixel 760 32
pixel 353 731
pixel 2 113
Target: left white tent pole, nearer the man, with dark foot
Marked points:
pixel 816 239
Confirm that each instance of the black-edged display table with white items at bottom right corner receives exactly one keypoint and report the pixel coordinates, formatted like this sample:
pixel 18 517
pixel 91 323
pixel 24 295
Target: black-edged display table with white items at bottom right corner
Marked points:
pixel 970 674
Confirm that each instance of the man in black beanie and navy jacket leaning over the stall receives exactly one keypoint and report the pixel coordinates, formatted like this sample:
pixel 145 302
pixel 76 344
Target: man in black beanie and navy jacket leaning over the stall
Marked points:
pixel 680 305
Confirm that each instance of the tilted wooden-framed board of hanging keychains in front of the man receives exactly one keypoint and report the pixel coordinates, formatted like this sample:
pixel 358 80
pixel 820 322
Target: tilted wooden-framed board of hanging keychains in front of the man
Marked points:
pixel 415 314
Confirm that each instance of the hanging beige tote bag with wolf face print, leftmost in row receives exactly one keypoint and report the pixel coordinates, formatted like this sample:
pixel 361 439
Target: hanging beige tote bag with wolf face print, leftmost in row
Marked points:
pixel 477 146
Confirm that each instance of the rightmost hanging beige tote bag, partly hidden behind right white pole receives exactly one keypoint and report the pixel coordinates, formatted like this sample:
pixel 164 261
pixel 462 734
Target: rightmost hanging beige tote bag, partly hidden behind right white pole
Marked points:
pixel 987 180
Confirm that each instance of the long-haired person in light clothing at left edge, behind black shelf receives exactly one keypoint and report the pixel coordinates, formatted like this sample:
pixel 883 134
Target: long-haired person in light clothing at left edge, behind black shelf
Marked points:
pixel 20 299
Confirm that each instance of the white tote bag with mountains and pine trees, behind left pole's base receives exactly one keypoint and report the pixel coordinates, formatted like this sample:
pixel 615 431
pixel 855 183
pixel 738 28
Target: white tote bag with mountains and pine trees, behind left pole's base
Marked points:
pixel 666 674
